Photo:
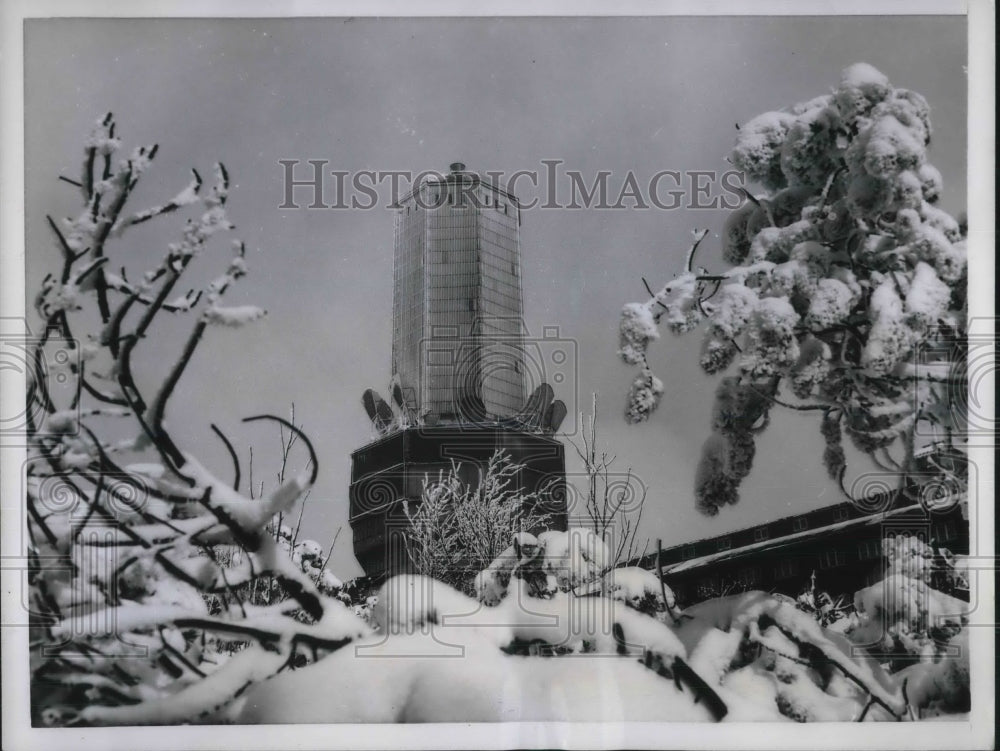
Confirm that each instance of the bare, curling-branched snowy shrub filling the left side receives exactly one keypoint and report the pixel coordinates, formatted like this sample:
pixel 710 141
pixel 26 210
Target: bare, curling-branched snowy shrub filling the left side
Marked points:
pixel 138 552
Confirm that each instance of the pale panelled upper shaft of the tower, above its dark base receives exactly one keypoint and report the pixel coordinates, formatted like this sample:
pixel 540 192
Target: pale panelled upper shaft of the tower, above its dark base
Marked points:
pixel 458 339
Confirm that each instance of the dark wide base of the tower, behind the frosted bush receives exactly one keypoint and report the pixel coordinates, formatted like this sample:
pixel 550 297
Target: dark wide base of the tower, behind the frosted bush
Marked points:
pixel 392 469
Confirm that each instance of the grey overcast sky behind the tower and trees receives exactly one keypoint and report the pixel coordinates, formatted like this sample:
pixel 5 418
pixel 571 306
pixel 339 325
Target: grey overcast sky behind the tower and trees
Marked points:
pixel 642 94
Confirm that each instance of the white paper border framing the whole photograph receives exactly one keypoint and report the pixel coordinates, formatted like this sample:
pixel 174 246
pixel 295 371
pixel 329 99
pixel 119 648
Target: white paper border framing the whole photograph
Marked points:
pixel 978 733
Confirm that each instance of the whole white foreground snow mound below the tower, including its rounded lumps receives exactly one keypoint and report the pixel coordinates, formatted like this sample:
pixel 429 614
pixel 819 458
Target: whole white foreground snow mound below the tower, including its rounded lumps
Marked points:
pixel 470 666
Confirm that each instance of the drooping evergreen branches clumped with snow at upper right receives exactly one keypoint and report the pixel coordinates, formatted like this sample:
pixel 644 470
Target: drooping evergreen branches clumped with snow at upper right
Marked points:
pixel 846 275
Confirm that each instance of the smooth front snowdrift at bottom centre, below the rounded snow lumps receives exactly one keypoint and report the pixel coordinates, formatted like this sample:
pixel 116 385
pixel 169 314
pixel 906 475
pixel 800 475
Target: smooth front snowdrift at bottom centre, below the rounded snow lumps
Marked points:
pixel 408 679
